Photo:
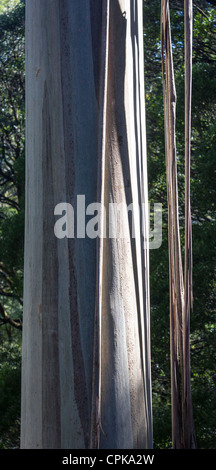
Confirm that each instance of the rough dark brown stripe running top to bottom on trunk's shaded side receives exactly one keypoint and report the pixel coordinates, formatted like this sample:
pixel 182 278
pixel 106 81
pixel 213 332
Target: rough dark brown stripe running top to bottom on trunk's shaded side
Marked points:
pixel 80 386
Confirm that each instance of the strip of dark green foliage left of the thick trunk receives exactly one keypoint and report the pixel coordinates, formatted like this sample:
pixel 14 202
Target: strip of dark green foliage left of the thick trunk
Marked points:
pixel 12 186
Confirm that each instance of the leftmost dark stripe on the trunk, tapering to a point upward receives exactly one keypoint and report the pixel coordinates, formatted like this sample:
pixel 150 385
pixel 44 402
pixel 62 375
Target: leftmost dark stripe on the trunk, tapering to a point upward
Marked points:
pixel 50 370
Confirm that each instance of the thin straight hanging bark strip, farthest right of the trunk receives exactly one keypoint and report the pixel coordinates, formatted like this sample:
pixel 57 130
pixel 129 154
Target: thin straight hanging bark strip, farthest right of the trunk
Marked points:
pixel 189 434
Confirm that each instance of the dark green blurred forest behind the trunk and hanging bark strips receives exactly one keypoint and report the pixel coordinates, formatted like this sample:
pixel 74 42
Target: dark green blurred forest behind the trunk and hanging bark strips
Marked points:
pixel 203 201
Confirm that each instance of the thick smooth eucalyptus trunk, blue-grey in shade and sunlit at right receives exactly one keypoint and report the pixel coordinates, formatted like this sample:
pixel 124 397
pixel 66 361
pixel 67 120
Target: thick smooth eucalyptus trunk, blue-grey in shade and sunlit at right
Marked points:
pixel 86 379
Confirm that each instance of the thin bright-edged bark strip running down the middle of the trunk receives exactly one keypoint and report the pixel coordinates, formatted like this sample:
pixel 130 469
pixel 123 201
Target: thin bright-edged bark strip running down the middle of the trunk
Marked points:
pixel 97 365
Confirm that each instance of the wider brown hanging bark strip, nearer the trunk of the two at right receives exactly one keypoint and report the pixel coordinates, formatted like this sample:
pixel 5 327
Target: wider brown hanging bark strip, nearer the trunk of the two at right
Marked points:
pixel 175 263
